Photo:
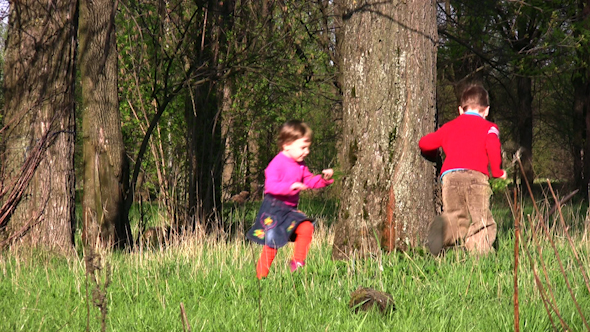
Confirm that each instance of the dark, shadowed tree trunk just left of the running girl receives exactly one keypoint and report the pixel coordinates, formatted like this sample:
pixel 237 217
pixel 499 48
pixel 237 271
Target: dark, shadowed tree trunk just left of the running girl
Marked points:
pixel 205 157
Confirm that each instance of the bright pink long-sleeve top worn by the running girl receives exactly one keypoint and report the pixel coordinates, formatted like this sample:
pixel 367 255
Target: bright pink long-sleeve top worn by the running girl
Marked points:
pixel 282 172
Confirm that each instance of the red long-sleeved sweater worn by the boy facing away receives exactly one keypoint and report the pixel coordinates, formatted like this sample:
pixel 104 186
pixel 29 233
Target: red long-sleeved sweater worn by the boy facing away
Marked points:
pixel 469 142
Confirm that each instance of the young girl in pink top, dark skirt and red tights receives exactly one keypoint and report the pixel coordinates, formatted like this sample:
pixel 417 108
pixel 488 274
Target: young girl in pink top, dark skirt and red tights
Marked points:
pixel 278 220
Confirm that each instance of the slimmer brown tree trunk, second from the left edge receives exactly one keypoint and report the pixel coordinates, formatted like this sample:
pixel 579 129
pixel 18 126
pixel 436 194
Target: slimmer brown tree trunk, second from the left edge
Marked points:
pixel 105 165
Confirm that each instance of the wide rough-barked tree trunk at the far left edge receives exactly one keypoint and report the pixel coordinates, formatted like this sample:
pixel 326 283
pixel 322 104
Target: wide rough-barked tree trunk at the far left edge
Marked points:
pixel 39 94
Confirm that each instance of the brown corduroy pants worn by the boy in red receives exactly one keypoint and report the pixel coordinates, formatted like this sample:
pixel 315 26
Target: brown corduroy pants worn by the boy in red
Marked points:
pixel 466 211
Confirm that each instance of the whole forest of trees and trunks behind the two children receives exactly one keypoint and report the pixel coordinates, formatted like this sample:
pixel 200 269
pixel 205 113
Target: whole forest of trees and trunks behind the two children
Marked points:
pixel 116 112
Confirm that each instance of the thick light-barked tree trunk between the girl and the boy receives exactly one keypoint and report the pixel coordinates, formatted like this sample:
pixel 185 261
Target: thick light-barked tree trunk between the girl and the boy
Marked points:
pixel 388 71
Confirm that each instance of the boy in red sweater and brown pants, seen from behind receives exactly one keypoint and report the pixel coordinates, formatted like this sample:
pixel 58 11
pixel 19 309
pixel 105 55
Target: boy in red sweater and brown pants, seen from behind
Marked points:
pixel 470 143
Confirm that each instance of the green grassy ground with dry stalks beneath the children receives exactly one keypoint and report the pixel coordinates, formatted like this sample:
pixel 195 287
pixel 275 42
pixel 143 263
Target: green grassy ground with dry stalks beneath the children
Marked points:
pixel 215 281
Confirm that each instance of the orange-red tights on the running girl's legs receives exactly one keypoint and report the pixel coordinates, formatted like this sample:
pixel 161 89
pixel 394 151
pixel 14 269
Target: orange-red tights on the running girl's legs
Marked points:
pixel 304 234
